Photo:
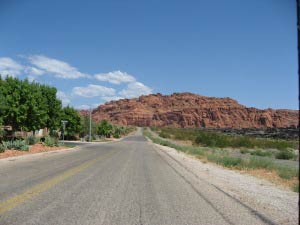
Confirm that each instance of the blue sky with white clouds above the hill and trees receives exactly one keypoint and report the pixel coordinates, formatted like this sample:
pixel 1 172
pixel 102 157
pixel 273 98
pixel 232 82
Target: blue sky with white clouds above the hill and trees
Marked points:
pixel 94 51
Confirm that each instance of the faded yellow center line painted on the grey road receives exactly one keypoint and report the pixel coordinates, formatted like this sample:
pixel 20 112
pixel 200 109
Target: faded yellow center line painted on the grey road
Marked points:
pixel 39 188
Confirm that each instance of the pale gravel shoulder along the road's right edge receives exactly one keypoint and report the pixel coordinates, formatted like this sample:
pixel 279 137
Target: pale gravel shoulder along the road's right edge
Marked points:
pixel 263 196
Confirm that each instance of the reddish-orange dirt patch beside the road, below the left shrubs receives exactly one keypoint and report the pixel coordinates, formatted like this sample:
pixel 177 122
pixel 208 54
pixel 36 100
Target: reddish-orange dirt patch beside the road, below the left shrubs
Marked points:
pixel 32 150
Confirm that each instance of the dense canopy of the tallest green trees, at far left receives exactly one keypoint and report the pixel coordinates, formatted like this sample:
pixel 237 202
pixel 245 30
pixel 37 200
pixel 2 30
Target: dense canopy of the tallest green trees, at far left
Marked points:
pixel 28 105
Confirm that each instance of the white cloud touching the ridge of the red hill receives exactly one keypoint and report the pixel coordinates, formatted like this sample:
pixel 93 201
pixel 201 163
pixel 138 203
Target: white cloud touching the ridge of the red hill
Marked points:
pixel 135 89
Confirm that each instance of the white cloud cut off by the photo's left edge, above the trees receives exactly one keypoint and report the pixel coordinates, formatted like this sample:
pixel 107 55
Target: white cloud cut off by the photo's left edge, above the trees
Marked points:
pixel 10 67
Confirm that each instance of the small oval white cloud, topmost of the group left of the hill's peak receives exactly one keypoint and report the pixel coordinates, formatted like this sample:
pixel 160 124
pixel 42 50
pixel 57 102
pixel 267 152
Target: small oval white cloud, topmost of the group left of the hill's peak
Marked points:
pixel 115 77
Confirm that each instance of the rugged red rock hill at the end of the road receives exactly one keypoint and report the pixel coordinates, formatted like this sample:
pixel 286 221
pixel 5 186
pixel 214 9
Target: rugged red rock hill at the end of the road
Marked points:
pixel 191 110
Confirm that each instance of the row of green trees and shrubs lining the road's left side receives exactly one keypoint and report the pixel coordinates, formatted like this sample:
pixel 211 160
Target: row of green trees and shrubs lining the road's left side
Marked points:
pixel 27 107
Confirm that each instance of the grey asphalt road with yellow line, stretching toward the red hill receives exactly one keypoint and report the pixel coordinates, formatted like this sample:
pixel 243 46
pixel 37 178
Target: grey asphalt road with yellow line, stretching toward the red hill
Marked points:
pixel 126 182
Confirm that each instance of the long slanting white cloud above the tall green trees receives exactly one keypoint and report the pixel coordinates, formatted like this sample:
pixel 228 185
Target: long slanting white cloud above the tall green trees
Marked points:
pixel 56 67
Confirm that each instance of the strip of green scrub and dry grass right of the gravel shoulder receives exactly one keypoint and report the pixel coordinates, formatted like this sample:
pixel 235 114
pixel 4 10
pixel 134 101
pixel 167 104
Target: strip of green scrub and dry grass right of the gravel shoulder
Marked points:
pixel 257 160
